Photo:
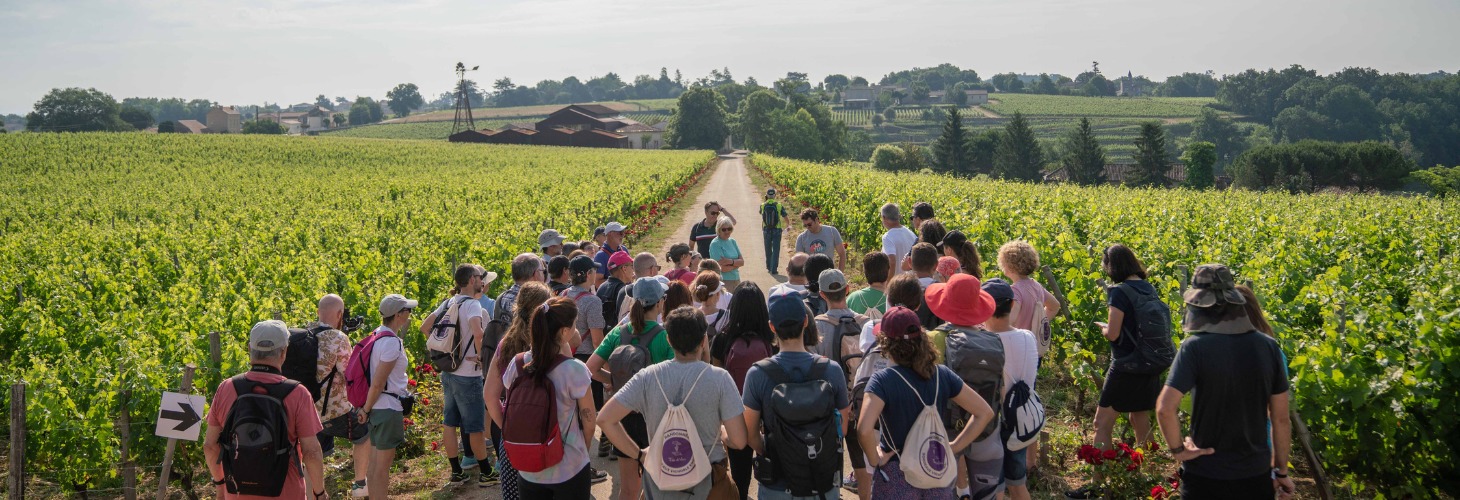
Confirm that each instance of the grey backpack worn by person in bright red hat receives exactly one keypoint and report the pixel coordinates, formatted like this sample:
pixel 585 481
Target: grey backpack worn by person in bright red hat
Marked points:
pixel 977 357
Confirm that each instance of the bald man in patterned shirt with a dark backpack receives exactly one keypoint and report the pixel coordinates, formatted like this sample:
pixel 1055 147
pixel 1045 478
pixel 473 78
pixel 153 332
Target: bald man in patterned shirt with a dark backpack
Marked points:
pixel 335 410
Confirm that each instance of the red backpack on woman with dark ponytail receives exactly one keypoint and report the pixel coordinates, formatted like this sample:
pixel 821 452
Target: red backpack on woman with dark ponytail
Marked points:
pixel 534 439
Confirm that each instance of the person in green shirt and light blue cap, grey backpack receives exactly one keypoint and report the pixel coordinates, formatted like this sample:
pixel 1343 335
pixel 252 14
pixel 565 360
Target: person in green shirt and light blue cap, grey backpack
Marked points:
pixel 649 305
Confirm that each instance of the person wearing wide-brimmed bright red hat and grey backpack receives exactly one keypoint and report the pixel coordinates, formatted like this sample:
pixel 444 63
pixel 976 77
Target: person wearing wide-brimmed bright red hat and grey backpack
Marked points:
pixel 972 353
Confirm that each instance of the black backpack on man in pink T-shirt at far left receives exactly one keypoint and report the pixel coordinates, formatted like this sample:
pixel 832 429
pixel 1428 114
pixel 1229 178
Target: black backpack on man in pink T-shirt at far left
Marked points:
pixel 255 438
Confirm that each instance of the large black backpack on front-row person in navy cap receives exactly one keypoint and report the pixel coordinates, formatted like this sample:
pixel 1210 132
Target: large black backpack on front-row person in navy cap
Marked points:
pixel 802 431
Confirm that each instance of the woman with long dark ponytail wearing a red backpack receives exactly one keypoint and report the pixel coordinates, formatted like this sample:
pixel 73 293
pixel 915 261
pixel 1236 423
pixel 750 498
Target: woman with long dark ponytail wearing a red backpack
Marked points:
pixel 553 340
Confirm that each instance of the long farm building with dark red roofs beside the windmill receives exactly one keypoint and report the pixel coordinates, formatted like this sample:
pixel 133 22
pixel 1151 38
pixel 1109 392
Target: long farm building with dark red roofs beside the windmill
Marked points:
pixel 579 125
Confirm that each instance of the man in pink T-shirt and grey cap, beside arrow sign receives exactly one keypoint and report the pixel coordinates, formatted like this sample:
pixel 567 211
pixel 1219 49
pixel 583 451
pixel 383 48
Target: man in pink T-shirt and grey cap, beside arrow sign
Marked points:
pixel 268 343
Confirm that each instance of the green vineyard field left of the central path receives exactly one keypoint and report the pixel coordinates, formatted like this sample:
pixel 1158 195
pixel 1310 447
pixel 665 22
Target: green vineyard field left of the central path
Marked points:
pixel 120 252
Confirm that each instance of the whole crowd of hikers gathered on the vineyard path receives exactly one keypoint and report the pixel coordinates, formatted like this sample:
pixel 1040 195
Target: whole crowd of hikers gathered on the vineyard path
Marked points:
pixel 699 384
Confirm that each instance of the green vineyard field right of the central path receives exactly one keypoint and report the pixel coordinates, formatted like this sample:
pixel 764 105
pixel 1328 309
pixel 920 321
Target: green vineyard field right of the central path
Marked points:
pixel 1360 289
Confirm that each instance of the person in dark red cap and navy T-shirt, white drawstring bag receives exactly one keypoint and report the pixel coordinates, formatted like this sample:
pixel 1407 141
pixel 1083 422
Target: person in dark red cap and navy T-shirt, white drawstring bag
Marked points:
pixel 899 394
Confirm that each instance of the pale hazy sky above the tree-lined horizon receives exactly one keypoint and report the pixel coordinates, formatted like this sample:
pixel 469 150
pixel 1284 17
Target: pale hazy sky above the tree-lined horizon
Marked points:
pixel 293 50
